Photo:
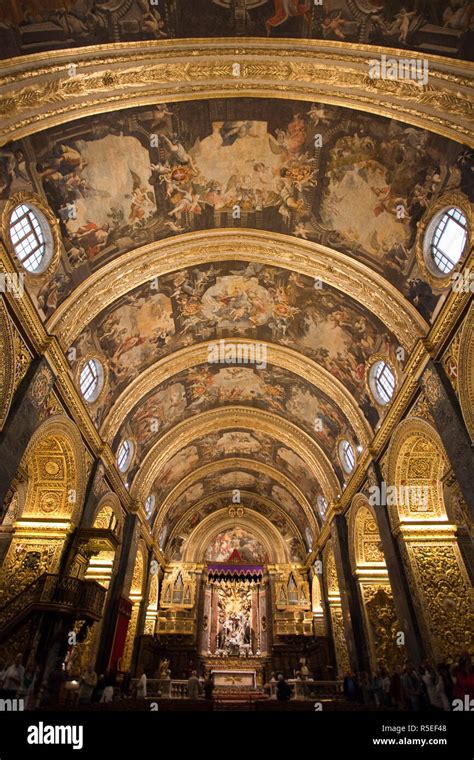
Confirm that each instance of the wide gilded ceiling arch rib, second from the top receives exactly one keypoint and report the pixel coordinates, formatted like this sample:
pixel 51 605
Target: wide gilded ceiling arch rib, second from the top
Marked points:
pixel 271 249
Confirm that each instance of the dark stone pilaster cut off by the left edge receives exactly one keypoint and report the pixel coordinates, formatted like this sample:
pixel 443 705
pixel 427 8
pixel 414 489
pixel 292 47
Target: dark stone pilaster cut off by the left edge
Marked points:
pixel 23 420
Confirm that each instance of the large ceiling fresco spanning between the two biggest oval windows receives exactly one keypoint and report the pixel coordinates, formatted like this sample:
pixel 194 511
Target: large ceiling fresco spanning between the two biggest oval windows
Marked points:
pixel 356 183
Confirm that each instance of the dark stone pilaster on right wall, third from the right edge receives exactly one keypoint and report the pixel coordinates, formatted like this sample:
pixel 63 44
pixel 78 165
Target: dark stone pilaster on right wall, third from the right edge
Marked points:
pixel 356 639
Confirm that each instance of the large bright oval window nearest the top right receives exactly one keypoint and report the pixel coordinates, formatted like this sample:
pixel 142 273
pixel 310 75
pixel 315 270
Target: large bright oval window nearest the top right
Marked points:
pixel 447 237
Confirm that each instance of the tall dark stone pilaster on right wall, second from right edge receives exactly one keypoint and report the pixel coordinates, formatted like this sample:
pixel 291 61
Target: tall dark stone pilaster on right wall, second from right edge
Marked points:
pixel 402 595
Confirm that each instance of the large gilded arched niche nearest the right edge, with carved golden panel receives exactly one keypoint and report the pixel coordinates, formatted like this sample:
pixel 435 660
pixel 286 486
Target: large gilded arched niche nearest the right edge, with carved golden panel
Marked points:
pixel 437 576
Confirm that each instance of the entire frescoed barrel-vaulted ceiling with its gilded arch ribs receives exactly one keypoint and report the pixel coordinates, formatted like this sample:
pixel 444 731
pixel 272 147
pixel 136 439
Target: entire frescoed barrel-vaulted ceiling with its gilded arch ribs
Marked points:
pixel 287 226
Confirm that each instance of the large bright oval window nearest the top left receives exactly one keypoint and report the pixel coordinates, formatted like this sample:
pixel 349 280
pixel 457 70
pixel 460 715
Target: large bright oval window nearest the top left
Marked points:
pixel 31 238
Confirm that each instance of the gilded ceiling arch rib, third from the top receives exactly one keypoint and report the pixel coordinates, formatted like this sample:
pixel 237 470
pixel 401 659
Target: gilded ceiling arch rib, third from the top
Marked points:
pixel 192 356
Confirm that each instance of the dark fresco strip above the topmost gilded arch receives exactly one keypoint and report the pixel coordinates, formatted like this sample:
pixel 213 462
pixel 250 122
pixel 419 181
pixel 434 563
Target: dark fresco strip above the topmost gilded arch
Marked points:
pixel 444 27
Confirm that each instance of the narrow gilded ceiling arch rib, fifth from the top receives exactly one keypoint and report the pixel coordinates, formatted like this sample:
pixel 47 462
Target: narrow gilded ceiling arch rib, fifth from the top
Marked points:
pixel 234 463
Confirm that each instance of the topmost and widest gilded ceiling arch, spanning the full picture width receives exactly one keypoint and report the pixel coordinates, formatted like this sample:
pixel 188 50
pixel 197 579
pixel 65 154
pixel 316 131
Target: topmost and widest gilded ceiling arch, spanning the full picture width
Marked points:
pixel 34 97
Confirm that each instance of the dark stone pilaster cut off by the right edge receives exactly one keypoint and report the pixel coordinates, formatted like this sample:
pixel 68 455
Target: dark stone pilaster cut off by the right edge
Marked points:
pixel 444 407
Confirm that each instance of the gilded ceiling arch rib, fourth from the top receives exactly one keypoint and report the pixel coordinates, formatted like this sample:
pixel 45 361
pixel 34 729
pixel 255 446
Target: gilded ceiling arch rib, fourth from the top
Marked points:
pixel 230 418
